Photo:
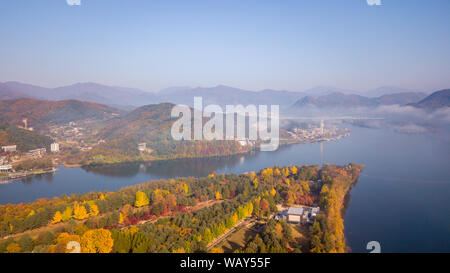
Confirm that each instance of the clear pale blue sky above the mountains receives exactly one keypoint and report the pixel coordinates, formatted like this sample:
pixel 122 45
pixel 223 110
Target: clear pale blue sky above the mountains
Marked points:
pixel 250 44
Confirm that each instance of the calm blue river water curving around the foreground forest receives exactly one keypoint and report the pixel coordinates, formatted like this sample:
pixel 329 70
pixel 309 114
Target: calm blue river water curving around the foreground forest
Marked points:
pixel 402 199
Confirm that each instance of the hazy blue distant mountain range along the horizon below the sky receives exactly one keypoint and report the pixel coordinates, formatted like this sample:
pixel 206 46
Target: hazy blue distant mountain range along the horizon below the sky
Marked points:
pixel 130 98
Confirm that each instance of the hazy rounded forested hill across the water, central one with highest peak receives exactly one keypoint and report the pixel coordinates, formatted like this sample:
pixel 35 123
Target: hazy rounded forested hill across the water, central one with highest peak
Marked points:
pixel 150 124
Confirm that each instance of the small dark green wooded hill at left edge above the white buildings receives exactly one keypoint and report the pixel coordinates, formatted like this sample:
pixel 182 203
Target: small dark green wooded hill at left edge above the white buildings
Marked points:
pixel 24 139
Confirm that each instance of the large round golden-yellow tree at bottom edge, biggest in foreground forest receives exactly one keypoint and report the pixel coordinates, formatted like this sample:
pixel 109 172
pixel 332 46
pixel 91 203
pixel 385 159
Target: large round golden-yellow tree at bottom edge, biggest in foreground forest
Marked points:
pixel 97 241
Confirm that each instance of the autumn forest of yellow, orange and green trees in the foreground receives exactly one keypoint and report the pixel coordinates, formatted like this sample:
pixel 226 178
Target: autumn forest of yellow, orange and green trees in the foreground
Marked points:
pixel 184 215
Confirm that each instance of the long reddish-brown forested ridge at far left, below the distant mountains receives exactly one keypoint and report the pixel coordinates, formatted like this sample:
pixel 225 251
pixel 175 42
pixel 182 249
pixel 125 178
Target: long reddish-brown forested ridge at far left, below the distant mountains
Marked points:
pixel 39 113
